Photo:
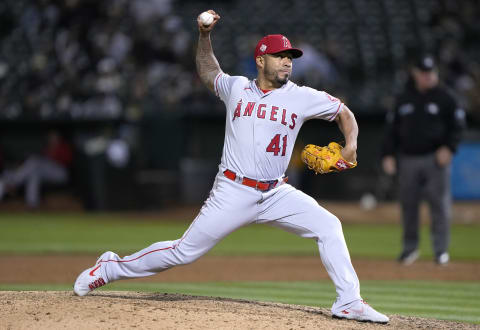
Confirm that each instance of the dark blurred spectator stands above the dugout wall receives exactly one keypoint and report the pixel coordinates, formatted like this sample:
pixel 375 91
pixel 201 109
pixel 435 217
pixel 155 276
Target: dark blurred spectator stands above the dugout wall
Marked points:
pixel 88 59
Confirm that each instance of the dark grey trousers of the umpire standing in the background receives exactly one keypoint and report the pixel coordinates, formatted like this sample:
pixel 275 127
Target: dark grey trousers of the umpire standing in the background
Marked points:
pixel 420 175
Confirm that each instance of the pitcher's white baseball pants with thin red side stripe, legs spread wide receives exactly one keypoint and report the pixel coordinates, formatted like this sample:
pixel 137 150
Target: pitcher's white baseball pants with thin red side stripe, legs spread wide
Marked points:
pixel 231 206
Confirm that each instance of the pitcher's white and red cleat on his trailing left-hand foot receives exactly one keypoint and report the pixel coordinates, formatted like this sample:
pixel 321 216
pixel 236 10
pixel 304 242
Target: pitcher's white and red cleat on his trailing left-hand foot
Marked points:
pixel 92 278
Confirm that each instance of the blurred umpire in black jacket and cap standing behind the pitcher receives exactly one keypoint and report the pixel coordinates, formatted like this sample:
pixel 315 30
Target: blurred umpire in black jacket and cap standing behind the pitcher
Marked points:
pixel 422 133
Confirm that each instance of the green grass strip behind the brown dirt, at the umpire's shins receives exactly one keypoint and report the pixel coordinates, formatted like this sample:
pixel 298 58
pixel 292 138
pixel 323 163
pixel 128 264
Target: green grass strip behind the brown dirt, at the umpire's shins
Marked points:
pixel 92 234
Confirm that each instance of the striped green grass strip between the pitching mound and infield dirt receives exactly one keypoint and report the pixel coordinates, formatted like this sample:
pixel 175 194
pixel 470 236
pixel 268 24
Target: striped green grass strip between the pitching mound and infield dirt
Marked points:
pixel 456 301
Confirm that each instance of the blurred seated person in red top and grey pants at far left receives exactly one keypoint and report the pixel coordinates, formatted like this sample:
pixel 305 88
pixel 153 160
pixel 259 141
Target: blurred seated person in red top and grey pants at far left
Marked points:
pixel 50 167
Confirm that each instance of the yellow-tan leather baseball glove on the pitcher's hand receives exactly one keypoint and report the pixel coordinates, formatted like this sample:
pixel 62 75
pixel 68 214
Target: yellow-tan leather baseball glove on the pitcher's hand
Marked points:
pixel 325 159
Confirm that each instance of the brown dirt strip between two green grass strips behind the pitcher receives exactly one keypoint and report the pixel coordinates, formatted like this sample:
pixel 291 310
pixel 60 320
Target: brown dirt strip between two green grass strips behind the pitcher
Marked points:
pixel 64 269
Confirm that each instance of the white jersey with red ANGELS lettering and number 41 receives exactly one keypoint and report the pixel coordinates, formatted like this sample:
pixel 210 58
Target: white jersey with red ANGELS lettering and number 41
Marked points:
pixel 266 123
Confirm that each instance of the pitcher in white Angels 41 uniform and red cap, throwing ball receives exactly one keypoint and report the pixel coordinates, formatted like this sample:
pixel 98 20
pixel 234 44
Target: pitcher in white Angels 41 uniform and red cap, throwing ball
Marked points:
pixel 263 118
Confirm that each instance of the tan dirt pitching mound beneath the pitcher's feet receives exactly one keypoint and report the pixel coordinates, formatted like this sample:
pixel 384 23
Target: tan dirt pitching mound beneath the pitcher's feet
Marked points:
pixel 118 310
